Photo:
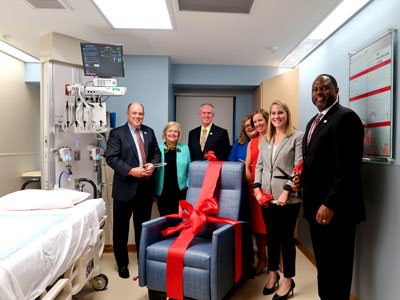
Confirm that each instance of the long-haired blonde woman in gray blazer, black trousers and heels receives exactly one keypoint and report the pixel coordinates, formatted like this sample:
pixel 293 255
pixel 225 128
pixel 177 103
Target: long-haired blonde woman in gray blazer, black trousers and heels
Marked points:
pixel 281 148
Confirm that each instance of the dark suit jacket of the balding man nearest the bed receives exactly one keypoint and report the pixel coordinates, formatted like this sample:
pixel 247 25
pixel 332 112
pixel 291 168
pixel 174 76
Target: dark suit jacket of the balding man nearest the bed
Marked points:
pixel 122 156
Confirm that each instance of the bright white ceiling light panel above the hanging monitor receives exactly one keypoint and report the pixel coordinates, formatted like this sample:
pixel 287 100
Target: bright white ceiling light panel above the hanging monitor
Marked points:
pixel 135 14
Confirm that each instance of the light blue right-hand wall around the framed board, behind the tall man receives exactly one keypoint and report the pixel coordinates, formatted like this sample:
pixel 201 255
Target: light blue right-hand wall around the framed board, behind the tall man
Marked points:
pixel 377 258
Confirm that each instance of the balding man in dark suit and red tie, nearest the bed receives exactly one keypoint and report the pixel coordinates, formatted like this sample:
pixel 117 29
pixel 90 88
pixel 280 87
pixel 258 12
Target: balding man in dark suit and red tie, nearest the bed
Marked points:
pixel 132 150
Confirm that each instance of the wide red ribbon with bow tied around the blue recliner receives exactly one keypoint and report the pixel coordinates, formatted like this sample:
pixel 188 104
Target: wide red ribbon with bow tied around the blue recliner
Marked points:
pixel 196 218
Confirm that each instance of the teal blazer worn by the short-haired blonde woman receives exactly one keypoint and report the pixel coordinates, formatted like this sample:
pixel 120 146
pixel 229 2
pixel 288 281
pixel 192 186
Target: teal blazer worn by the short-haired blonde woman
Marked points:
pixel 182 168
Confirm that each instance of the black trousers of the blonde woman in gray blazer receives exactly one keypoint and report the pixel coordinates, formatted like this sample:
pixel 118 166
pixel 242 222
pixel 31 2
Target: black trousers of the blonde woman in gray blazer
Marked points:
pixel 280 222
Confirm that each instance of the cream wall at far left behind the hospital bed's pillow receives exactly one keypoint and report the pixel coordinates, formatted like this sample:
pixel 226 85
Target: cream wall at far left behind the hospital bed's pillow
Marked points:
pixel 19 125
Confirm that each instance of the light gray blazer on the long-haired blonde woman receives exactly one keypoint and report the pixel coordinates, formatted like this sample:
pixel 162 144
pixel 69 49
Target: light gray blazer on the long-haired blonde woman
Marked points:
pixel 287 156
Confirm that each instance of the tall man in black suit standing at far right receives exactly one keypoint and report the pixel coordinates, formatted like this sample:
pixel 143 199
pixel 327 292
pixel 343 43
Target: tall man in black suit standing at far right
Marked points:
pixel 331 181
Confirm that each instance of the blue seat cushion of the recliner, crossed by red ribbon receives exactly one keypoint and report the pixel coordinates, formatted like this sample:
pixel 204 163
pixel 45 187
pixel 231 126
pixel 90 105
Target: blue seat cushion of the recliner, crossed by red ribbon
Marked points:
pixel 197 255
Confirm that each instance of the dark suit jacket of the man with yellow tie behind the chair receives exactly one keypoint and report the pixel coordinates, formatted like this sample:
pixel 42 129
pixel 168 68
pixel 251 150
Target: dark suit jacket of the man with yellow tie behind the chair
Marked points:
pixel 217 141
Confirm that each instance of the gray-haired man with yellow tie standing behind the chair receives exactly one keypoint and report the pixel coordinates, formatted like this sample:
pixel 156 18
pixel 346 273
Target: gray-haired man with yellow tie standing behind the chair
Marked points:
pixel 208 137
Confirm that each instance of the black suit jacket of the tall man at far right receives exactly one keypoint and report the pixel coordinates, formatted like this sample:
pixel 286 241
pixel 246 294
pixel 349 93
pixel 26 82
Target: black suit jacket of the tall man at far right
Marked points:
pixel 332 166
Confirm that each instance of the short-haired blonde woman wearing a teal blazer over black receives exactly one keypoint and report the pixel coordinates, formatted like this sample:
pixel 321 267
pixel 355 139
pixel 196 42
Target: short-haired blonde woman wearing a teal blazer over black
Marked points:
pixel 172 179
